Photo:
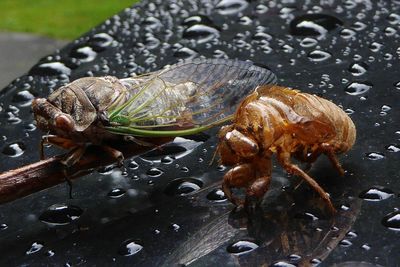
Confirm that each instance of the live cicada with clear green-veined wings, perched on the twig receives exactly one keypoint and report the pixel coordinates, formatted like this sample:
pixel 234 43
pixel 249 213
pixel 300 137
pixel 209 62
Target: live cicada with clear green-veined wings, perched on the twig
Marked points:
pixel 181 99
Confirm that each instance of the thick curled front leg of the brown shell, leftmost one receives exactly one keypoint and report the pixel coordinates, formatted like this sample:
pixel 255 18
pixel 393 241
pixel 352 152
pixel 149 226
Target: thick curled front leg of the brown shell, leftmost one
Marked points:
pixel 238 177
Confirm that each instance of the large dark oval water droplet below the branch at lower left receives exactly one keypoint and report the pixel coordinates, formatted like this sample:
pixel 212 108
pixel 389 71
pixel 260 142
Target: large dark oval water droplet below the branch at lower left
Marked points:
pixel 59 214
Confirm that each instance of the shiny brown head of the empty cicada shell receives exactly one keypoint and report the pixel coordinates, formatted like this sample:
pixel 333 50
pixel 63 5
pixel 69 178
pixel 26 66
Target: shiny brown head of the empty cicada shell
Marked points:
pixel 235 146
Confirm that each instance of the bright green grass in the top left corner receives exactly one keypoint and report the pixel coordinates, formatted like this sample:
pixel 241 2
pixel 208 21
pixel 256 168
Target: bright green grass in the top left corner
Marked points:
pixel 63 19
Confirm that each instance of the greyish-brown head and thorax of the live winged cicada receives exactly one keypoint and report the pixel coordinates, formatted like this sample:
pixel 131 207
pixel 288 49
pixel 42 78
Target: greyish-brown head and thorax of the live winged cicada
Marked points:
pixel 77 111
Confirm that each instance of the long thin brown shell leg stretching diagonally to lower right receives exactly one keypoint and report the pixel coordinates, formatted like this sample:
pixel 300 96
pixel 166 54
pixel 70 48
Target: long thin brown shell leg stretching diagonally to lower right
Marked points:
pixel 284 160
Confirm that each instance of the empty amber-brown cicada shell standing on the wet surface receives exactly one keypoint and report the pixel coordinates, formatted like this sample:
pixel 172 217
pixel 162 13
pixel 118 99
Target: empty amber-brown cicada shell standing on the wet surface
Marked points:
pixel 288 123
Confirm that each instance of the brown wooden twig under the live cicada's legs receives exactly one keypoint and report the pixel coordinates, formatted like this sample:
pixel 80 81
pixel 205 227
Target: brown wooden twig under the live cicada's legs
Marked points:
pixel 40 175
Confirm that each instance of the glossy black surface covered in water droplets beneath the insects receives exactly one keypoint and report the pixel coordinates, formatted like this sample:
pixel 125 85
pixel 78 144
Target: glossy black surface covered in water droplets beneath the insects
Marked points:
pixel 167 209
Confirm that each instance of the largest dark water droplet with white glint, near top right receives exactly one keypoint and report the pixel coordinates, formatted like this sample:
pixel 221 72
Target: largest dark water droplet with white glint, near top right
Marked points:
pixel 314 24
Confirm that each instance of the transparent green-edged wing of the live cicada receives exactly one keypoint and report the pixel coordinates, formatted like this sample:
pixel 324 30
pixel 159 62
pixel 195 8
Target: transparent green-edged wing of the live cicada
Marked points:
pixel 186 97
